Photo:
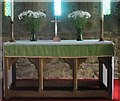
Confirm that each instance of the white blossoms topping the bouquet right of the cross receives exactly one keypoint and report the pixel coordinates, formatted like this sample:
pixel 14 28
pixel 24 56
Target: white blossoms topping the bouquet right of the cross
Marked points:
pixel 79 13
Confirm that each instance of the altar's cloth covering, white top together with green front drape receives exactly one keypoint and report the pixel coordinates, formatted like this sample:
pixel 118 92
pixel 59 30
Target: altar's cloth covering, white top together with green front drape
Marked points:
pixel 65 48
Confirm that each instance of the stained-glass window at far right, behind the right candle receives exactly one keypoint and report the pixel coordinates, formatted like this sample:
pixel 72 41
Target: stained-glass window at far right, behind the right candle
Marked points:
pixel 106 7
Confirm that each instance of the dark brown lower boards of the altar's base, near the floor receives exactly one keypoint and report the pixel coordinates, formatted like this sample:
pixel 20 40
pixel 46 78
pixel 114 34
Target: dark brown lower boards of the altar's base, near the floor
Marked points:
pixel 57 89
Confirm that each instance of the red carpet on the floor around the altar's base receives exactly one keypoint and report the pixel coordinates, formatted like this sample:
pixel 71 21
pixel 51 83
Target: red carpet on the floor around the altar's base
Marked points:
pixel 116 96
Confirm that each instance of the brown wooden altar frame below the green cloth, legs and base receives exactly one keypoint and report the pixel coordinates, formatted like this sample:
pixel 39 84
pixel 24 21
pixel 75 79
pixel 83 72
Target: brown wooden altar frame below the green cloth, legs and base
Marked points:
pixel 41 88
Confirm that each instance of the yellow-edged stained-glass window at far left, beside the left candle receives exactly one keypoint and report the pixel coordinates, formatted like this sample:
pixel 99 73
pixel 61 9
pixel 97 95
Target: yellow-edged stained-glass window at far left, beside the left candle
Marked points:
pixel 7 7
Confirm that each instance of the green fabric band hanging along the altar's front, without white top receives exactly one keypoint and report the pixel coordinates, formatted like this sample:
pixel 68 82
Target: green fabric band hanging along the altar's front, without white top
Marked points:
pixel 59 50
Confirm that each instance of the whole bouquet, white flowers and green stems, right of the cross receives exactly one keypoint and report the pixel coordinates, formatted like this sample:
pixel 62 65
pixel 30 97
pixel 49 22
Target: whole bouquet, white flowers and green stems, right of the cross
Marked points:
pixel 79 20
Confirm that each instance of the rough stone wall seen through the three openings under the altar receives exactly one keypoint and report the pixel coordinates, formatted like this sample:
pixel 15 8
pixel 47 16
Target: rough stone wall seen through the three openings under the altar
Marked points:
pixel 58 68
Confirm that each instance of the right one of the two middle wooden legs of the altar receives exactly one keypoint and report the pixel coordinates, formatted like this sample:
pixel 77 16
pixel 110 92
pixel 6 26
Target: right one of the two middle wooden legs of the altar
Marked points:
pixel 75 75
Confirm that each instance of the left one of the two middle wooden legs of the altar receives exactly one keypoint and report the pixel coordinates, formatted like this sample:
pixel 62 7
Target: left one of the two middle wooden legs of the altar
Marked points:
pixel 40 74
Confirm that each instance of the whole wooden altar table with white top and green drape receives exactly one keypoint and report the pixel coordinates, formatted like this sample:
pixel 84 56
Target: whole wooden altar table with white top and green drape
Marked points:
pixel 77 50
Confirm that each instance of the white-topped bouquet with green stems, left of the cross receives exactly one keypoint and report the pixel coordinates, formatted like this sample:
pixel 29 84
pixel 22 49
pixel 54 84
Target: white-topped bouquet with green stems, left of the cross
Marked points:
pixel 31 20
